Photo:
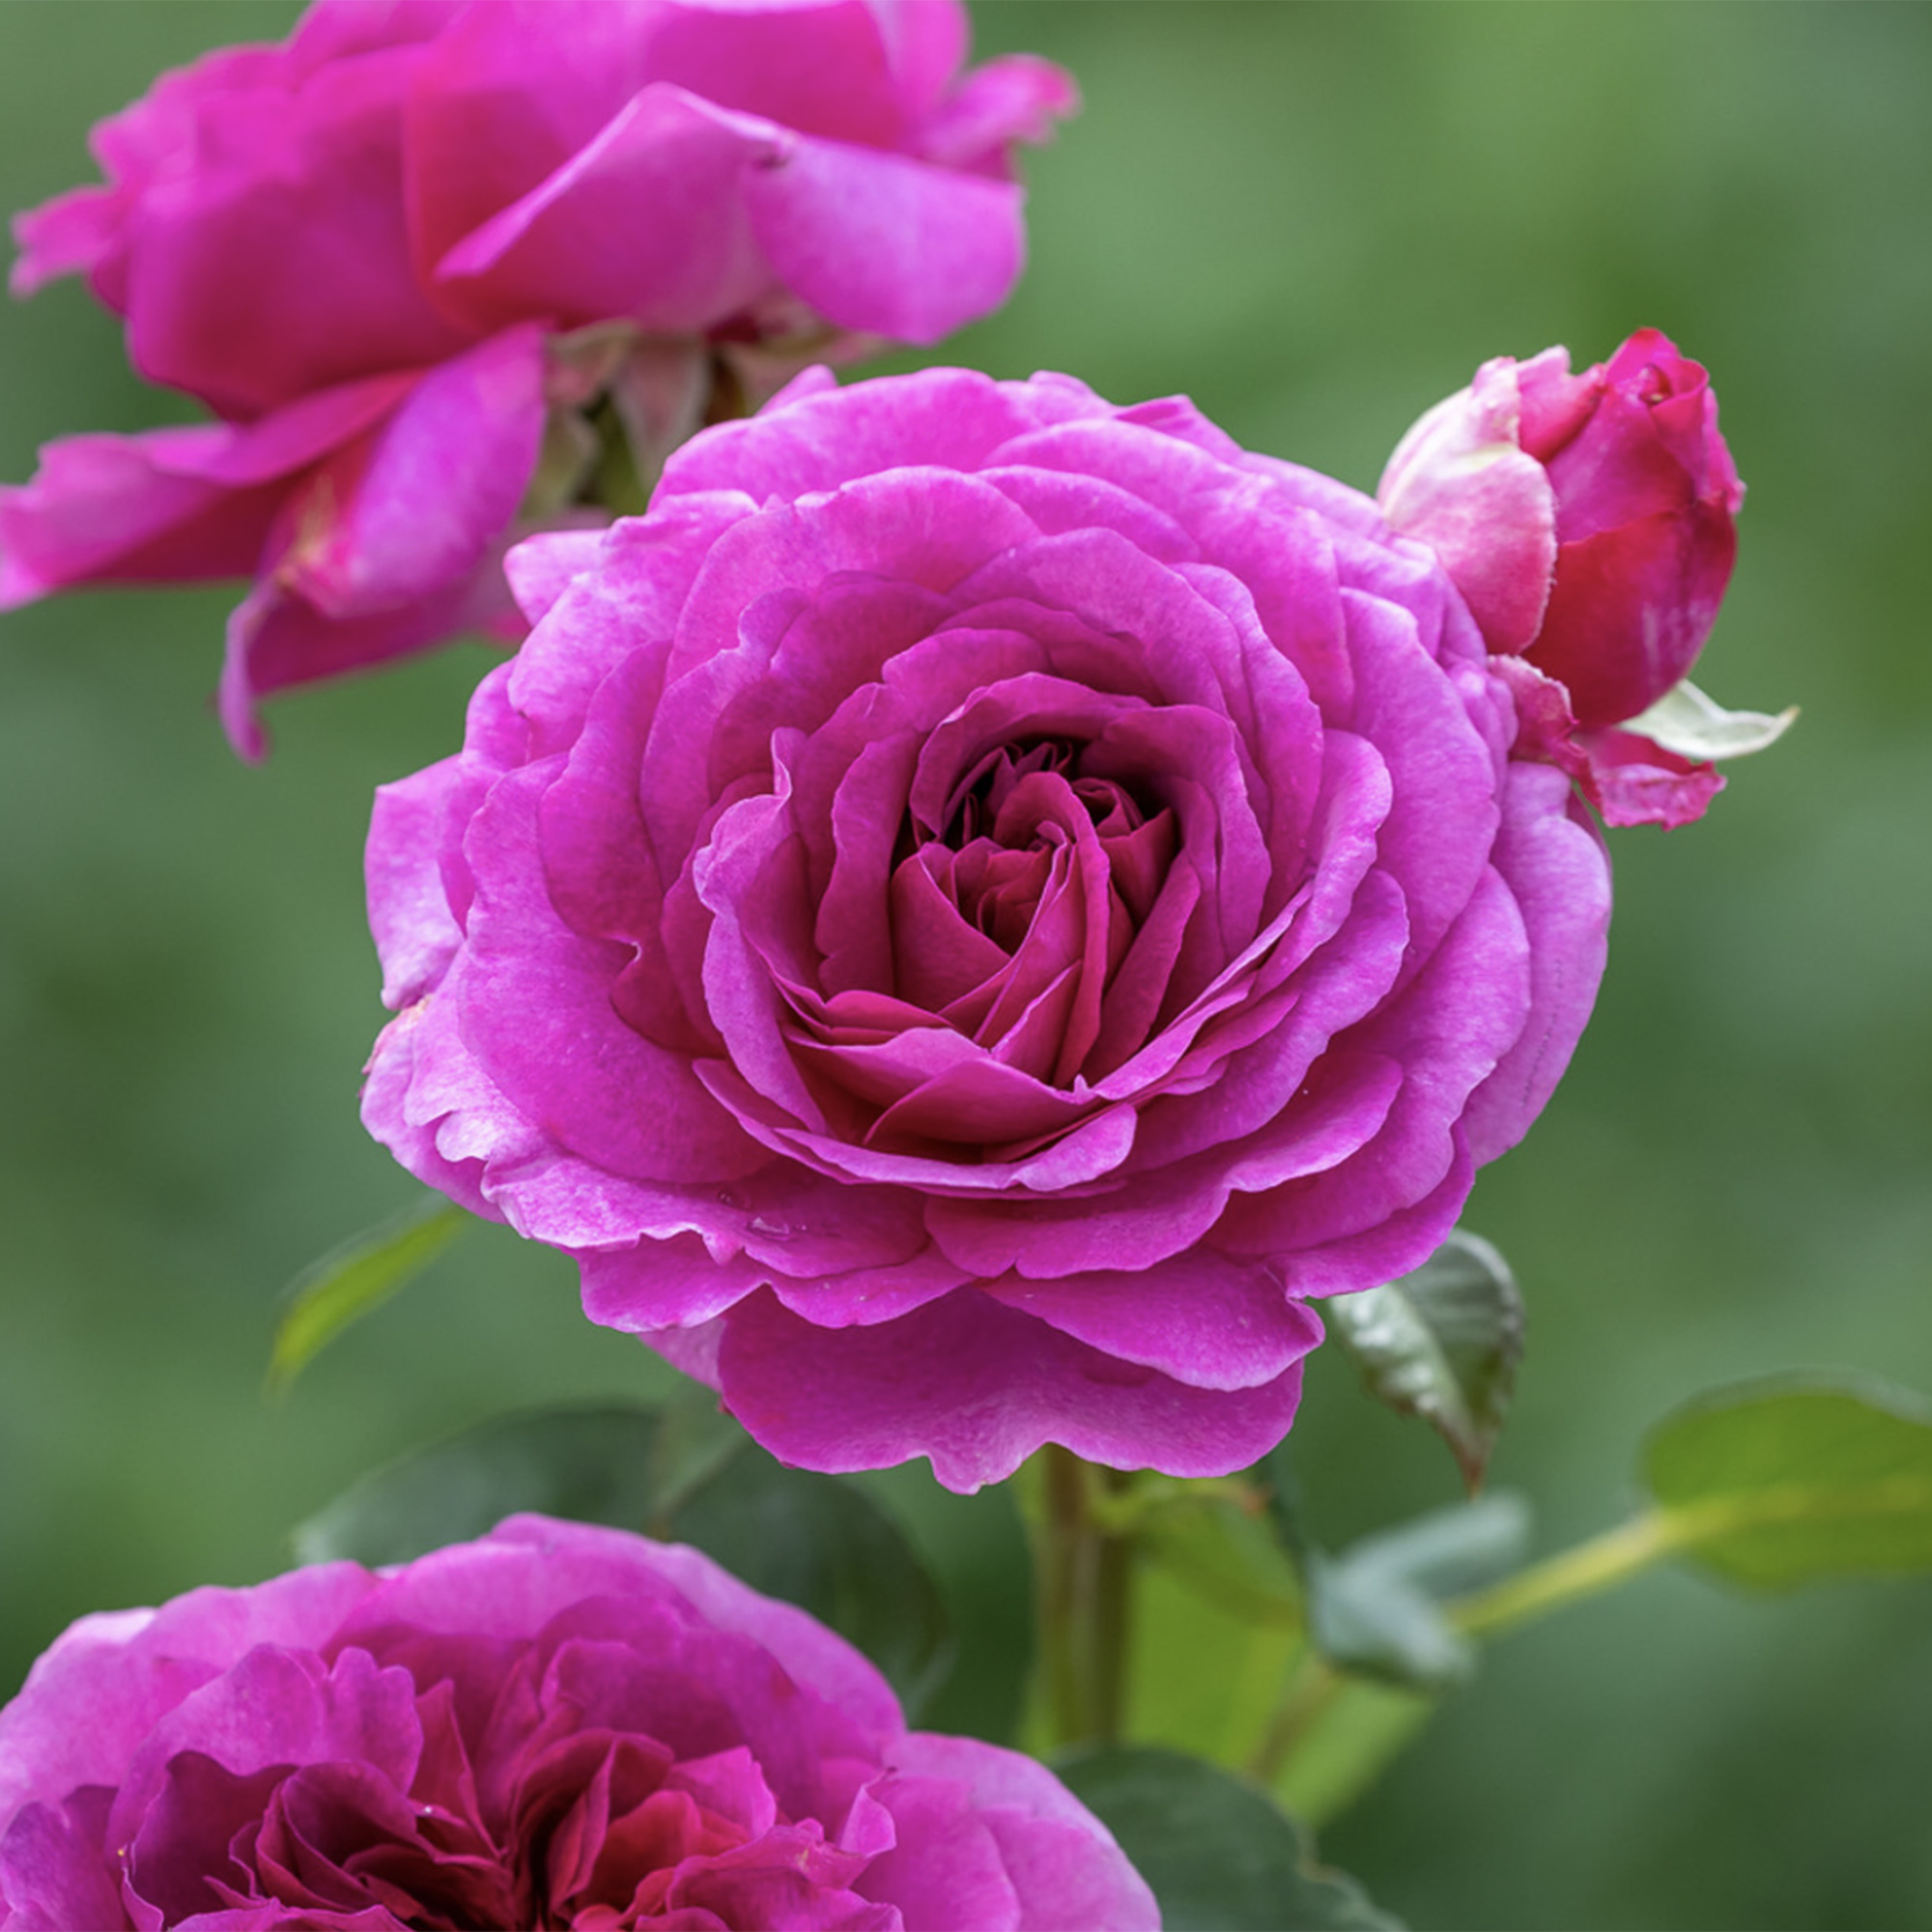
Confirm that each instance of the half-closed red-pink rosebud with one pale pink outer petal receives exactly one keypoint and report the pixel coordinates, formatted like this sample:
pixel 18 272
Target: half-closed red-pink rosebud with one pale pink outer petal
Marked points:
pixel 1589 523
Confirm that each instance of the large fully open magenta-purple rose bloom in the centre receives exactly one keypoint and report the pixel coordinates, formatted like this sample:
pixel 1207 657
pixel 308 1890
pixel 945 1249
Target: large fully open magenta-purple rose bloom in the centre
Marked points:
pixel 971 913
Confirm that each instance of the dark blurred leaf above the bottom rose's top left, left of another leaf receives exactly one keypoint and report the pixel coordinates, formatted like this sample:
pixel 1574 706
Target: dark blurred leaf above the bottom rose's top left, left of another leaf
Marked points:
pixel 590 1465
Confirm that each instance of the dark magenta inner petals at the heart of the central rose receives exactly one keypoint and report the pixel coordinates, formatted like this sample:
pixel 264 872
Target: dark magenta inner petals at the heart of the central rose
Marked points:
pixel 1046 917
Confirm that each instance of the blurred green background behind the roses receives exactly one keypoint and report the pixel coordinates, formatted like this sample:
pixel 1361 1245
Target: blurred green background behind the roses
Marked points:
pixel 1317 219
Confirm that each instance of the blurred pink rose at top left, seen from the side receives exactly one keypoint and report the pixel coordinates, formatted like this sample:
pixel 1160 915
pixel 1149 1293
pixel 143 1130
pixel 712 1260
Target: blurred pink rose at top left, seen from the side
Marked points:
pixel 447 268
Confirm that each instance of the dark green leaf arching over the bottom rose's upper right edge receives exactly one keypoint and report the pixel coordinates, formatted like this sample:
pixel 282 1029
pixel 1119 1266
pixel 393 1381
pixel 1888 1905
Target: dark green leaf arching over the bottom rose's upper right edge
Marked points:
pixel 826 1547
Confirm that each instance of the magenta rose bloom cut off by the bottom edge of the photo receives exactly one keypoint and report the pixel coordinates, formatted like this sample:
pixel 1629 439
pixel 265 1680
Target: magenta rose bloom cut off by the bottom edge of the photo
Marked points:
pixel 554 1726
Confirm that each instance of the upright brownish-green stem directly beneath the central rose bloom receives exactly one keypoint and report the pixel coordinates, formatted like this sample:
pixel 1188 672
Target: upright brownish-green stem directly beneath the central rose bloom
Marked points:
pixel 1085 1603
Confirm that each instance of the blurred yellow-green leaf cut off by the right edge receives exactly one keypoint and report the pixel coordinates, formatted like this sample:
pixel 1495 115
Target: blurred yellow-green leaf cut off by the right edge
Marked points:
pixel 1786 1483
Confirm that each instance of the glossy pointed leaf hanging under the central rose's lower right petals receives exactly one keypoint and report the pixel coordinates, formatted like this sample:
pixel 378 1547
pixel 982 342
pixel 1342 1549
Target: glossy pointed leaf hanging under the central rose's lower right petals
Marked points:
pixel 1442 1344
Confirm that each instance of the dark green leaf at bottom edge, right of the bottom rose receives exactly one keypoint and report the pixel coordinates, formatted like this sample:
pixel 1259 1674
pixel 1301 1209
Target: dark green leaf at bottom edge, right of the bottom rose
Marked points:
pixel 1218 1852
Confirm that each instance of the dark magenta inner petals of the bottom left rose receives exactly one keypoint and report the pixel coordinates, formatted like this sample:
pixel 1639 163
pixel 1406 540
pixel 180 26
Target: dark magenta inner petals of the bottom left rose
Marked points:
pixel 573 1823
